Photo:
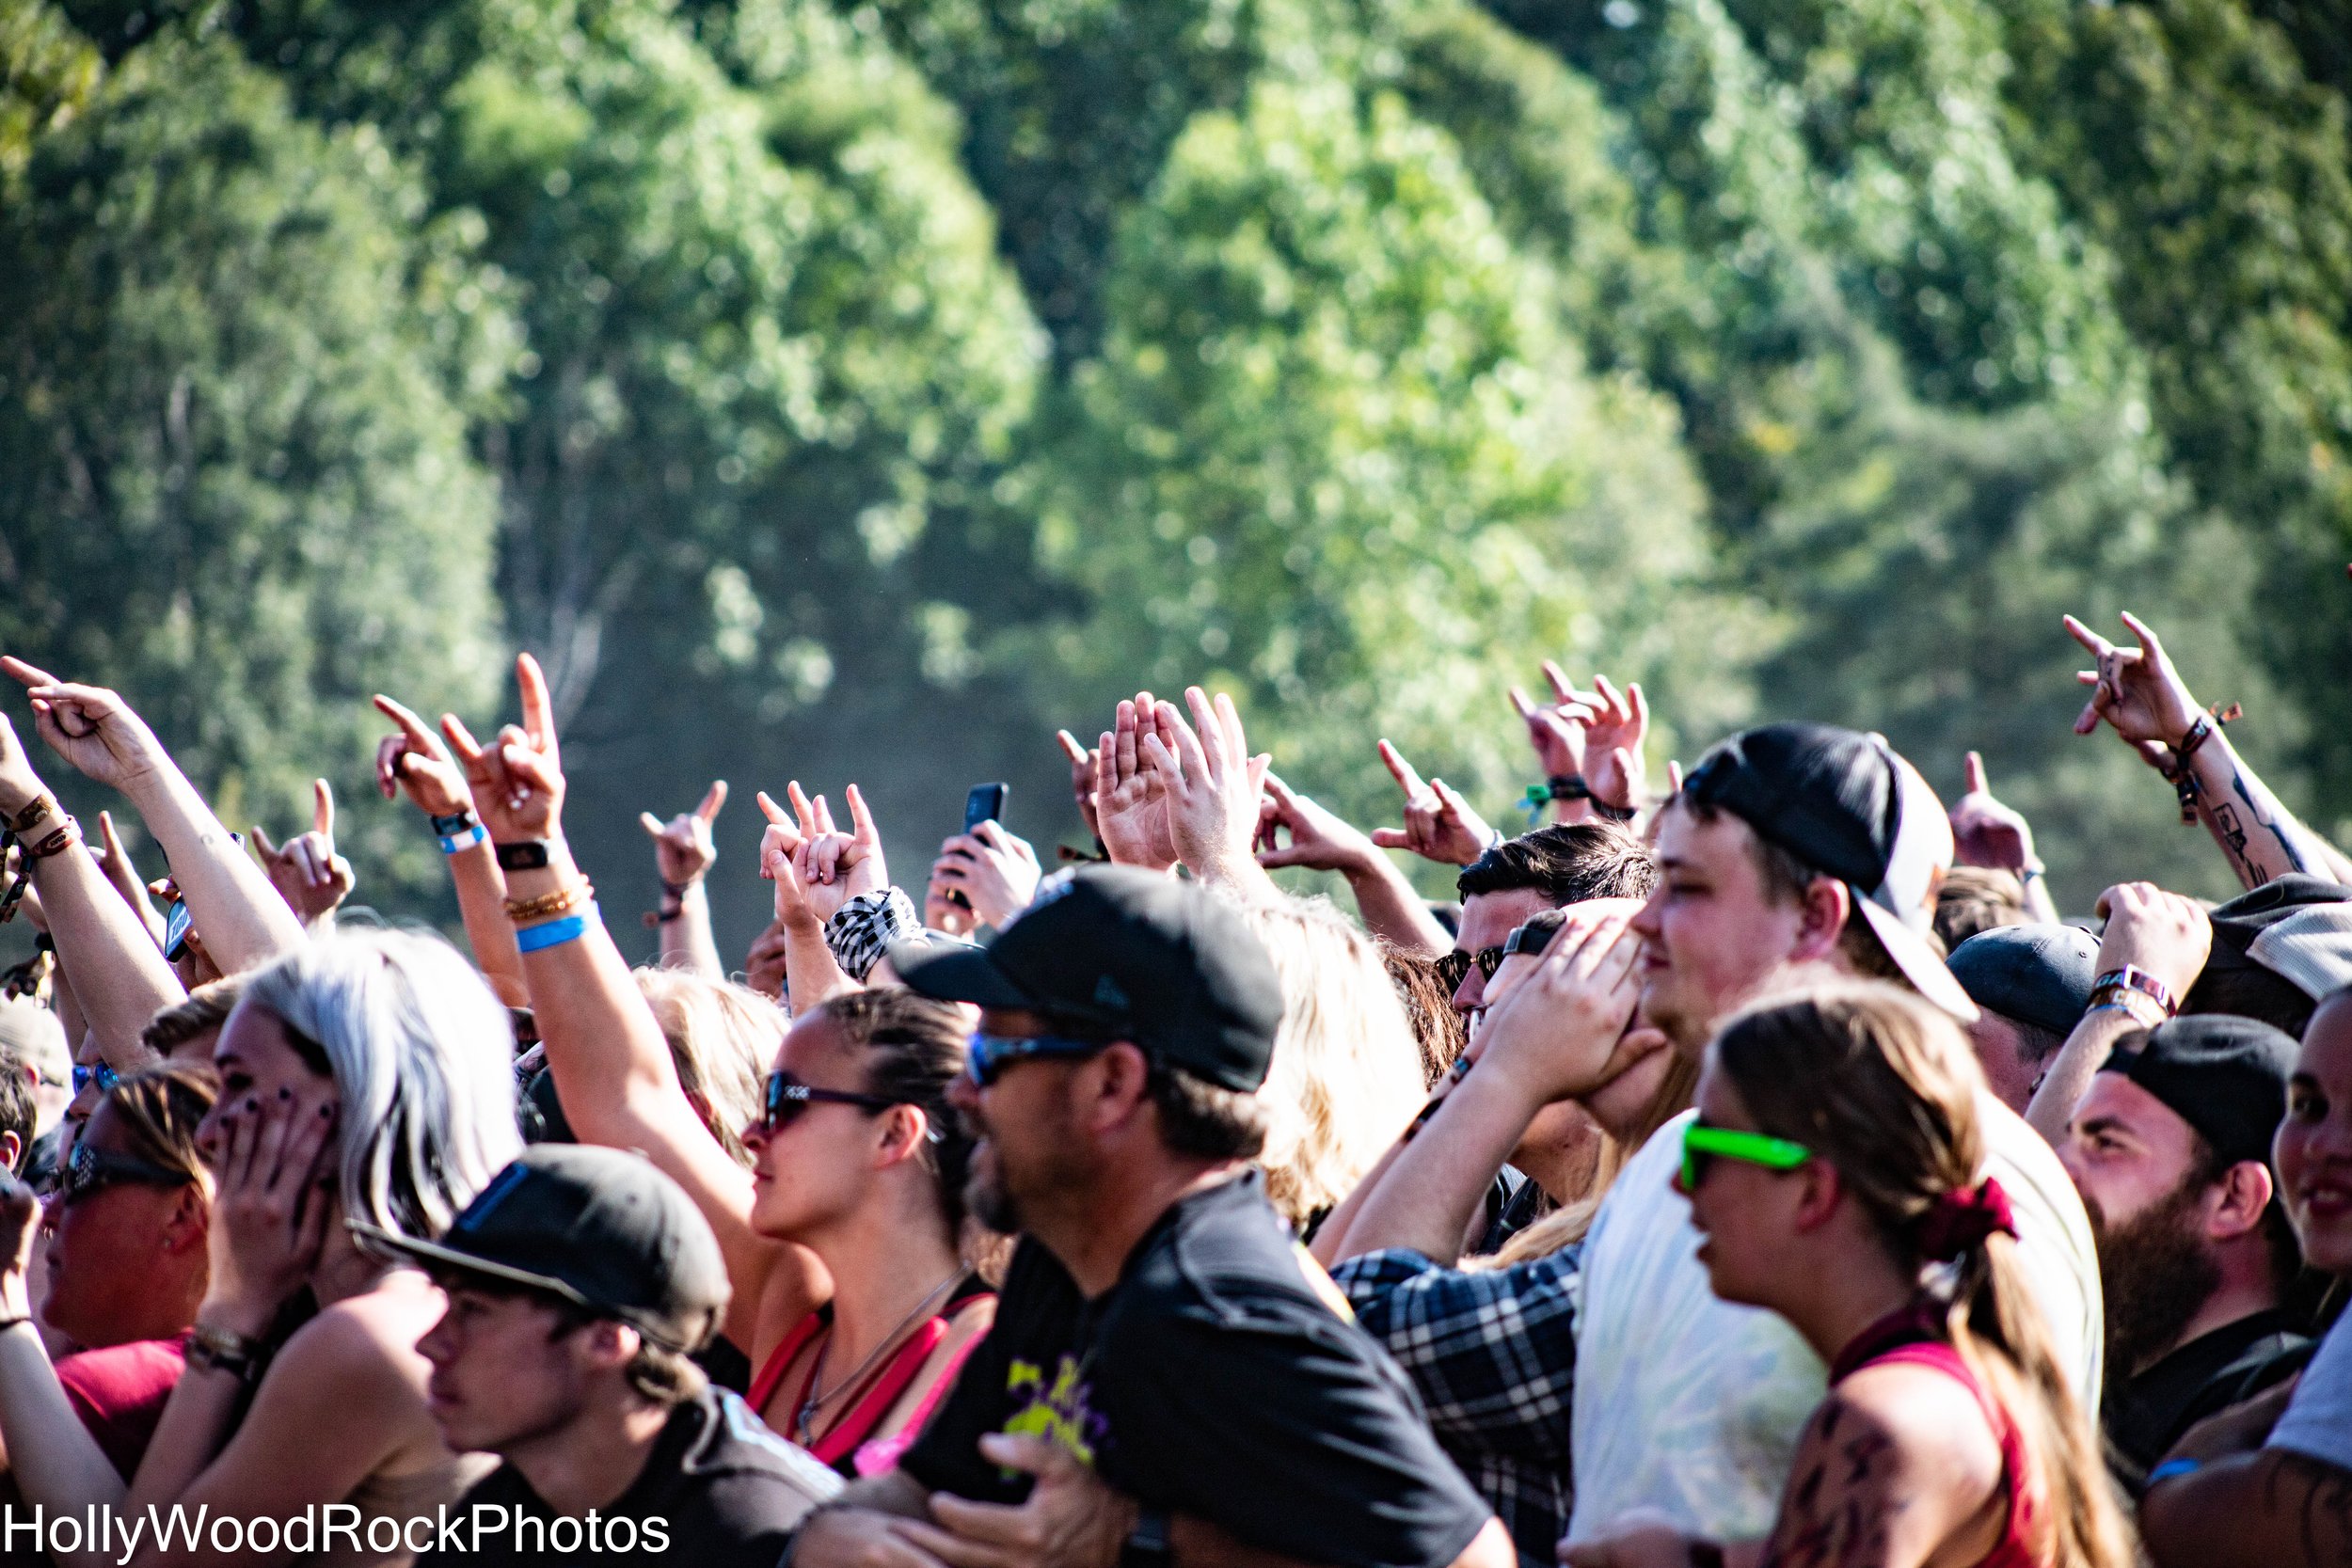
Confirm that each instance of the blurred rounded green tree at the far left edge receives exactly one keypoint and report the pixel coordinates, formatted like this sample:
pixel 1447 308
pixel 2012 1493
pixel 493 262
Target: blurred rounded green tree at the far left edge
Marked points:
pixel 234 387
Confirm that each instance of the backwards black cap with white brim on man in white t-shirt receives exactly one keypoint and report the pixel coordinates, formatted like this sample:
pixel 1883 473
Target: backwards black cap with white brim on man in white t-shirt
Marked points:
pixel 1850 808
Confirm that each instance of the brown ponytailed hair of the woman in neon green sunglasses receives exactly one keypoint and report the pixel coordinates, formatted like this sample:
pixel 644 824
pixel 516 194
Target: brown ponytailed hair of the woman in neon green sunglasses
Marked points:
pixel 1885 1090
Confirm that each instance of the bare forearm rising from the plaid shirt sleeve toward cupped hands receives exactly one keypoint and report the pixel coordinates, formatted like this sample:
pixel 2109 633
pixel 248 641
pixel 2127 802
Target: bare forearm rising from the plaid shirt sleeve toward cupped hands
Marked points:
pixel 1438 1181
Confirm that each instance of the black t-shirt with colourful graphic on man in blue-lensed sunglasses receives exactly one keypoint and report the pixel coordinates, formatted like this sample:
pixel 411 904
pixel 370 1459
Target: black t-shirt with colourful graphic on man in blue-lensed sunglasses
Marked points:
pixel 1217 1381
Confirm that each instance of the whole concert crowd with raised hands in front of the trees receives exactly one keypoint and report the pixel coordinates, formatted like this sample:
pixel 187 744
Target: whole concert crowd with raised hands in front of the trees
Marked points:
pixel 1753 1170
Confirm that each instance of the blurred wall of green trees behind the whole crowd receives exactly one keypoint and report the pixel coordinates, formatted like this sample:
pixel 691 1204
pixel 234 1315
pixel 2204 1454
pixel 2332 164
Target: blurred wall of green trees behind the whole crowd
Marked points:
pixel 862 391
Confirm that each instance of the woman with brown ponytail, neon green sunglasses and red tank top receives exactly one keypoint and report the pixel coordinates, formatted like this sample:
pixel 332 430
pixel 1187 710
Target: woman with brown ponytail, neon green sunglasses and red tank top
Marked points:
pixel 1836 1177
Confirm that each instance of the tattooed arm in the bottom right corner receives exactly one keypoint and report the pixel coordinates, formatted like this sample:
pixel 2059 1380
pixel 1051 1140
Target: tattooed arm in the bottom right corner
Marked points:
pixel 2254 1510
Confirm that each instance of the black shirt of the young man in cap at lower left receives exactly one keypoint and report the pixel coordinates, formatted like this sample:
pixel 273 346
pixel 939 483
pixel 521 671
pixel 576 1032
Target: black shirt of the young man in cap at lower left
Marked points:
pixel 719 1489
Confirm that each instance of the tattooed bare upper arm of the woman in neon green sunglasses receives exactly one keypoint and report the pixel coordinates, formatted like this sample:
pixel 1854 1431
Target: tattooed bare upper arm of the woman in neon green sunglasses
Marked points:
pixel 1897 1468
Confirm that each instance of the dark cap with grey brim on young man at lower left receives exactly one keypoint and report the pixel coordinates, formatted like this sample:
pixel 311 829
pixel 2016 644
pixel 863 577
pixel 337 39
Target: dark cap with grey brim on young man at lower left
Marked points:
pixel 599 1228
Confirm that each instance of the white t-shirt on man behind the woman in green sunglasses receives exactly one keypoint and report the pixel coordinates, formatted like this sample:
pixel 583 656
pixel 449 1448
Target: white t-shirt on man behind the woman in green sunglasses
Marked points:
pixel 1692 1407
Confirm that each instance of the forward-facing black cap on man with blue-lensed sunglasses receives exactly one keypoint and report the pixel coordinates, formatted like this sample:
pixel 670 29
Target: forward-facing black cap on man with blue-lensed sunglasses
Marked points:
pixel 1125 956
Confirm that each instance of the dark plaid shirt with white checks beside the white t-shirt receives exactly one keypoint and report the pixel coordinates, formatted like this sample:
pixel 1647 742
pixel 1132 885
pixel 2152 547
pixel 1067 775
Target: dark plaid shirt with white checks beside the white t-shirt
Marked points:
pixel 1495 1360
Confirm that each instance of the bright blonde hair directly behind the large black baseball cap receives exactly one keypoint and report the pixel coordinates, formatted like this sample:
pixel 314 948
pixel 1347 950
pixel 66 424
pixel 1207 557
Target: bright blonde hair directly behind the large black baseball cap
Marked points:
pixel 1347 1073
